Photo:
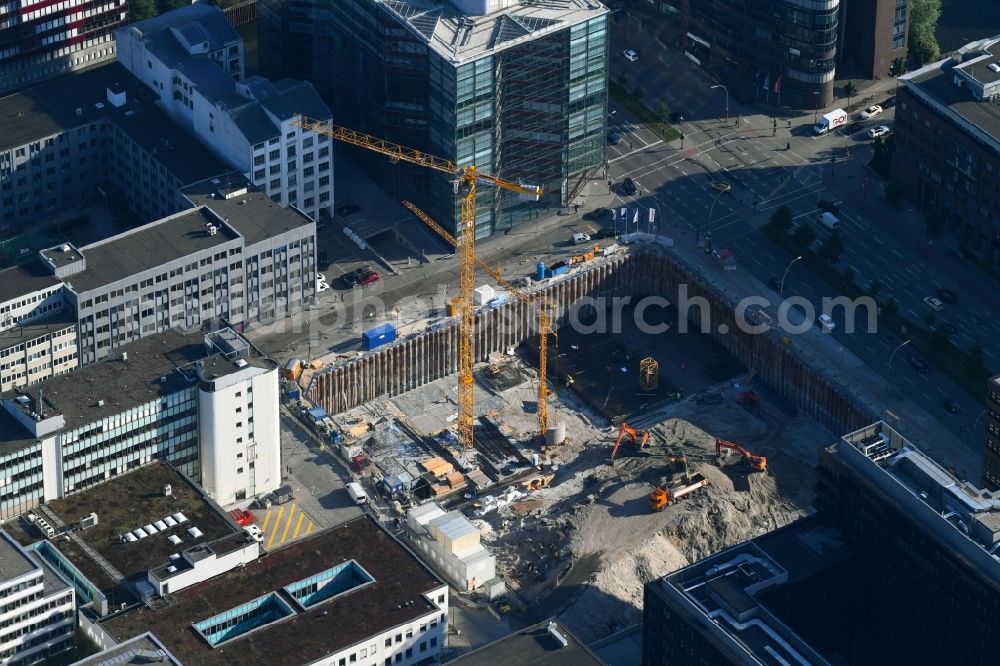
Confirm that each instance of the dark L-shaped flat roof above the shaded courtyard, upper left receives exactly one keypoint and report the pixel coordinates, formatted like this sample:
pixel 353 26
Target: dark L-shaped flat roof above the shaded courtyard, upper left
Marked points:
pixel 80 99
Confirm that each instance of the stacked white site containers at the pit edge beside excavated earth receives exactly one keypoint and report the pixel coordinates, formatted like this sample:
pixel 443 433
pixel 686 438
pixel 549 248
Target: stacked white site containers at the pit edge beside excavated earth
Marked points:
pixel 450 542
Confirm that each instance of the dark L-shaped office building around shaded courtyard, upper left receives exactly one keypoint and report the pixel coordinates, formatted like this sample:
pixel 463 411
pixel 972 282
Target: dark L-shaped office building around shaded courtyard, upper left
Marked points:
pixel 94 137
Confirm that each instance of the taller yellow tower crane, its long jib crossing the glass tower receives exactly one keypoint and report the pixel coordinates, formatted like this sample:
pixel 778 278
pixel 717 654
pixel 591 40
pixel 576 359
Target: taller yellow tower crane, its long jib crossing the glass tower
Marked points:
pixel 466 178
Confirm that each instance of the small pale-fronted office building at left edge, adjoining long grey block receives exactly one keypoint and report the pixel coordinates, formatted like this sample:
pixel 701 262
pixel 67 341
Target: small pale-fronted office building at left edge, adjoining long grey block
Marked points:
pixel 37 328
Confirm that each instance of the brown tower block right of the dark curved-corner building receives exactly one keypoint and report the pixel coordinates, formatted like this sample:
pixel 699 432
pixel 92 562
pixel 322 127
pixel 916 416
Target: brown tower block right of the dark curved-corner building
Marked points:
pixel 873 34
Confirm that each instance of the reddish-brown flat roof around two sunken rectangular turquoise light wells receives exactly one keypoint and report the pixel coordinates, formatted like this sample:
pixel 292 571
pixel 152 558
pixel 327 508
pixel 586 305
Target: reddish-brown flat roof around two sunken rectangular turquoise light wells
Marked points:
pixel 308 635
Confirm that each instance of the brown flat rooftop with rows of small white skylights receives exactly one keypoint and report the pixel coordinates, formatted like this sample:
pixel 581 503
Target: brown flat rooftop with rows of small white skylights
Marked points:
pixel 134 500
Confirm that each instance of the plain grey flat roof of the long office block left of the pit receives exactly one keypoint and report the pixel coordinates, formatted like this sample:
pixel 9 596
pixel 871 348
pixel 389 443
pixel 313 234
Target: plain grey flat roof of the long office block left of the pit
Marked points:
pixel 148 247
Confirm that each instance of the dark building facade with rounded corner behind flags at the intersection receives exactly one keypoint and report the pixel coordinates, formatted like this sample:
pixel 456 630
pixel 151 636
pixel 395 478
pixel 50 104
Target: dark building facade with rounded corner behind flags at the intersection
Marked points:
pixel 781 52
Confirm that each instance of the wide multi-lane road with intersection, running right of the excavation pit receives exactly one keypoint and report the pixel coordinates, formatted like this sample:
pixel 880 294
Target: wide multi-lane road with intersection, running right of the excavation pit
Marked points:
pixel 767 168
